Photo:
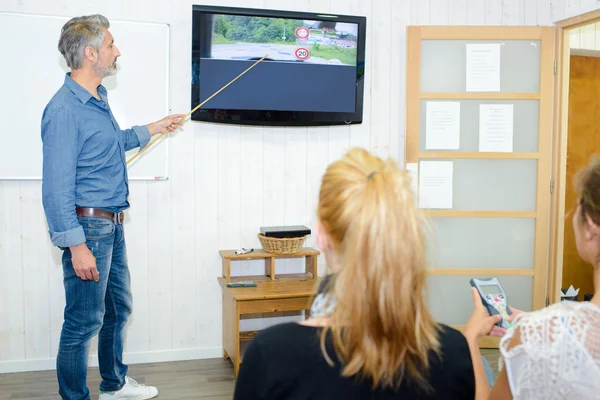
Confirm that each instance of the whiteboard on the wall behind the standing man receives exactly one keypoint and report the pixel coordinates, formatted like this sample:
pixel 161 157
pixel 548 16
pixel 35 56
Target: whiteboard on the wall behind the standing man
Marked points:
pixel 33 70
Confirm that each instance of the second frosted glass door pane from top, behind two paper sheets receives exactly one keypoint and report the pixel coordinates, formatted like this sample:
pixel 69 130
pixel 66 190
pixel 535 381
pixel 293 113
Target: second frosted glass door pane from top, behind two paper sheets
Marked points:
pixel 525 123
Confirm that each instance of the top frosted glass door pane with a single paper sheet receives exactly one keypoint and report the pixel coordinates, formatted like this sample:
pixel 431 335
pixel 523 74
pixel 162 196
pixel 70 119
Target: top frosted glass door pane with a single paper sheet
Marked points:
pixel 444 63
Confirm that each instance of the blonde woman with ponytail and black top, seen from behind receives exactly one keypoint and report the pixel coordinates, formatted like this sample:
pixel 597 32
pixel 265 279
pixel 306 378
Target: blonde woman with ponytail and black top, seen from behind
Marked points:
pixel 378 341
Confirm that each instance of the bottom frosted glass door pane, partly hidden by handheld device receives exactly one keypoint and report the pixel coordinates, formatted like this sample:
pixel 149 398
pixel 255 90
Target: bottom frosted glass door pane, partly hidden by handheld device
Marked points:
pixel 451 302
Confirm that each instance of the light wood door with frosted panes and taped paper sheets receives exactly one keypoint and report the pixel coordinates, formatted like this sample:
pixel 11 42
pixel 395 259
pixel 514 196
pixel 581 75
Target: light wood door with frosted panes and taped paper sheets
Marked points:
pixel 478 135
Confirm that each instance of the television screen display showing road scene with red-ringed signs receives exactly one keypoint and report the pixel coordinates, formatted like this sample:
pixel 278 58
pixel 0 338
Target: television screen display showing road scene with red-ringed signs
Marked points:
pixel 311 65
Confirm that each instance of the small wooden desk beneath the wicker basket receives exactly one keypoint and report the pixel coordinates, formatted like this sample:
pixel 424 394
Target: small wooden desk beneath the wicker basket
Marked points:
pixel 273 293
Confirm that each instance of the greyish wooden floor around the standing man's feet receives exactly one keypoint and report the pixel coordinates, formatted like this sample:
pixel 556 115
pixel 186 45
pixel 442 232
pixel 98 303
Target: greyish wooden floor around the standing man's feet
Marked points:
pixel 210 379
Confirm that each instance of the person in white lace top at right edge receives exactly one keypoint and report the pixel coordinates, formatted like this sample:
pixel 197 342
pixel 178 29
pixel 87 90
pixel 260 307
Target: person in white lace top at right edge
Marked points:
pixel 553 353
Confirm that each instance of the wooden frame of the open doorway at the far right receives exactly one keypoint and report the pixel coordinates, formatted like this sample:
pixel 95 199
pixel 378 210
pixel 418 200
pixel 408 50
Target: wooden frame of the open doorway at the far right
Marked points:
pixel 559 148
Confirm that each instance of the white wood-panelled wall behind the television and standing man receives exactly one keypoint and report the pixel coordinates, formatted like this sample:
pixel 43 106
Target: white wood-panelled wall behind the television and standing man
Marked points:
pixel 226 181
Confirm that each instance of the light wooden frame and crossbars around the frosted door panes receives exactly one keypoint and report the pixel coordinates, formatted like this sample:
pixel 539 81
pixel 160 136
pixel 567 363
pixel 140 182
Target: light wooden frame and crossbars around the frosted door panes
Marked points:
pixel 543 155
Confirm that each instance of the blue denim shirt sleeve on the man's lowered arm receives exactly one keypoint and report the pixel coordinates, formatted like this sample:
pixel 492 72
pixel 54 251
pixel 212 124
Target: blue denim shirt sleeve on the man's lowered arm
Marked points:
pixel 60 154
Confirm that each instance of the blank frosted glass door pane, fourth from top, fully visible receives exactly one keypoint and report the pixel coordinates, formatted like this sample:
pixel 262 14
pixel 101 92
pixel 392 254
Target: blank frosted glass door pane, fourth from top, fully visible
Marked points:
pixel 481 242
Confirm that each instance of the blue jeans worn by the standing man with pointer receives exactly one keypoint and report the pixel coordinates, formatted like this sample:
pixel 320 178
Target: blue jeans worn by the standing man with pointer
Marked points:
pixel 95 308
